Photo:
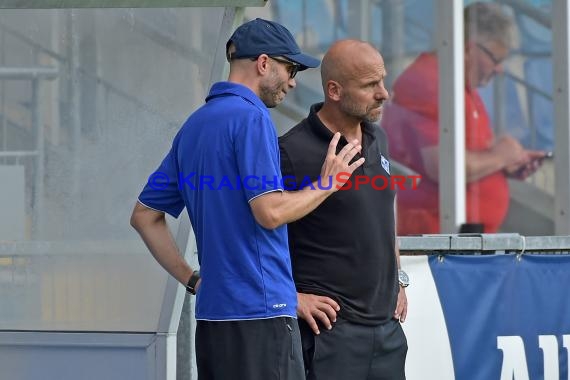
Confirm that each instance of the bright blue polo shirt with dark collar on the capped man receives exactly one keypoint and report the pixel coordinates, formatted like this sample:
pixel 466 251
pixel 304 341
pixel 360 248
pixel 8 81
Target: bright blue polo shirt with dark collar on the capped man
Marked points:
pixel 225 155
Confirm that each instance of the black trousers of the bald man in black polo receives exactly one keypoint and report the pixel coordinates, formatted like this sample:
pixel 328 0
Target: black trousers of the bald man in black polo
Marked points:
pixel 355 352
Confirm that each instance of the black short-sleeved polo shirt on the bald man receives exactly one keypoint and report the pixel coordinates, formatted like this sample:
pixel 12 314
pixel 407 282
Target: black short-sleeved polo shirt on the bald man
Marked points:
pixel 344 249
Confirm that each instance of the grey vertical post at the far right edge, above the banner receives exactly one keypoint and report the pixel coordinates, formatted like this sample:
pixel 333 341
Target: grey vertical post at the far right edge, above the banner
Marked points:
pixel 561 60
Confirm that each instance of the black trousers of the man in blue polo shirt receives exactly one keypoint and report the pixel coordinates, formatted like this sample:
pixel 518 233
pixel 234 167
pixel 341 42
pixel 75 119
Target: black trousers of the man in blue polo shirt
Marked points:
pixel 259 349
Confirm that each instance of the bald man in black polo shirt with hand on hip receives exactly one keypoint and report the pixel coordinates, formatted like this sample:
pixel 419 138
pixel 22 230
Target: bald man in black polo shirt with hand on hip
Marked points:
pixel 344 255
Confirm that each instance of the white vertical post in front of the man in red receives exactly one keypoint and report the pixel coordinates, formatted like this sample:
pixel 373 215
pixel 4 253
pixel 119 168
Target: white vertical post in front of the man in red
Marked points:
pixel 450 49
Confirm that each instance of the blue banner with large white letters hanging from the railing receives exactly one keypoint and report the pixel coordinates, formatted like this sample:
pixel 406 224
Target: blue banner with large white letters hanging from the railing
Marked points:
pixel 507 317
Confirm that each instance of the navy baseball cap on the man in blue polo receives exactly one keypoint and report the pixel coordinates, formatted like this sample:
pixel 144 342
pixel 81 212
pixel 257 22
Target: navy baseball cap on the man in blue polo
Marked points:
pixel 261 36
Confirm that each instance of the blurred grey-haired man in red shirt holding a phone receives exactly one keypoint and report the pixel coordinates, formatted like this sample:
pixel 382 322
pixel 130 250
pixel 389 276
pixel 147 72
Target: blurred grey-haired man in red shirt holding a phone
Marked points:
pixel 411 122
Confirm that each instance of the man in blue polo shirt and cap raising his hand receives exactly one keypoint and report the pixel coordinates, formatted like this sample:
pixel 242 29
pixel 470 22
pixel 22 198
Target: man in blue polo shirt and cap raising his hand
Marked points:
pixel 224 167
